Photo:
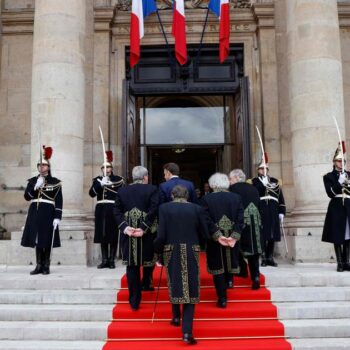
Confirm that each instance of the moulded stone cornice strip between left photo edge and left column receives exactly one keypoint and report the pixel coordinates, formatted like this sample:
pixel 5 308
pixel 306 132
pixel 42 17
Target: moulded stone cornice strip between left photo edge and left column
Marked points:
pixel 16 22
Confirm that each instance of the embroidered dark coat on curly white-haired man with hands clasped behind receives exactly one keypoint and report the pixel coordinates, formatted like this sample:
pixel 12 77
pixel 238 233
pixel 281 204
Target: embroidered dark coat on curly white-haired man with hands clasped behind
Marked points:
pixel 226 211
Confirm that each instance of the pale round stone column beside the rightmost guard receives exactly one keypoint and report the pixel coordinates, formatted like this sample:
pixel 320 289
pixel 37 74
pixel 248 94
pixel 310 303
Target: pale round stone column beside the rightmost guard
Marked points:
pixel 315 95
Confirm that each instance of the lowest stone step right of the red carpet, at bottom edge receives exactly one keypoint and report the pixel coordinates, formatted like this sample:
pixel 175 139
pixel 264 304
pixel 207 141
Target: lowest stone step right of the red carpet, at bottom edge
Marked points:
pixel 320 344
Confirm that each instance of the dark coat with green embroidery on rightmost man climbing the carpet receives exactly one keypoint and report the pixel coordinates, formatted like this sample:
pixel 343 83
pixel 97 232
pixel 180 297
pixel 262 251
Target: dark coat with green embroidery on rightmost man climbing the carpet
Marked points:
pixel 250 242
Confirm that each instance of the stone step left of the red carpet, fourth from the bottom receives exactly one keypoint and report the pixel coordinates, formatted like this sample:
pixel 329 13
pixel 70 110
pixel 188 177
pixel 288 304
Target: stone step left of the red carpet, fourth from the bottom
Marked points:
pixel 57 297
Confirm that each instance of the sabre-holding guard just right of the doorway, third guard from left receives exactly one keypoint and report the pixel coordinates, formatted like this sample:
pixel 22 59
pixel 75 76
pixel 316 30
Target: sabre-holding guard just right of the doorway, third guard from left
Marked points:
pixel 272 210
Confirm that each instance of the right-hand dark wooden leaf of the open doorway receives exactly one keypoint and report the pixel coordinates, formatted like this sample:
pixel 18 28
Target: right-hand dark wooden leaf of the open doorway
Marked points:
pixel 242 127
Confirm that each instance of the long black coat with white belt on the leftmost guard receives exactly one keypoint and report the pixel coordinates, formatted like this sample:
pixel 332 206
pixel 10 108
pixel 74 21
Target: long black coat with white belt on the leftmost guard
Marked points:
pixel 46 205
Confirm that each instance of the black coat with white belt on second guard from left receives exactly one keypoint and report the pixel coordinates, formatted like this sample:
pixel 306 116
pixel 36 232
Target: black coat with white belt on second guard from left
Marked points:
pixel 106 229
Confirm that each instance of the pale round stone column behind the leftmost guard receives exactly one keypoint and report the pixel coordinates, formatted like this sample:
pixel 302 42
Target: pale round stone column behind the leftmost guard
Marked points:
pixel 58 92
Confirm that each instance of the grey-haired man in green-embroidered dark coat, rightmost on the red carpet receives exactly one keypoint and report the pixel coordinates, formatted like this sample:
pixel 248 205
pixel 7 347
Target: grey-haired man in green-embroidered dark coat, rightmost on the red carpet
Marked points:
pixel 250 242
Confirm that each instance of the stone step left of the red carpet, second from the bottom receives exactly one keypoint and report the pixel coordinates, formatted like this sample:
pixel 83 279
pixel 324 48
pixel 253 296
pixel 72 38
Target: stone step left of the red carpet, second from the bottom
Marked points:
pixel 28 330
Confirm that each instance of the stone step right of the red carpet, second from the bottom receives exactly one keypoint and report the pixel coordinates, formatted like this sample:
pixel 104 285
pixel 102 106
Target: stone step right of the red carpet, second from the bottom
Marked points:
pixel 317 328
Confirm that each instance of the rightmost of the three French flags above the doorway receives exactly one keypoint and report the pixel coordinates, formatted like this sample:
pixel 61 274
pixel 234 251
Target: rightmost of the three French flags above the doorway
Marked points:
pixel 221 8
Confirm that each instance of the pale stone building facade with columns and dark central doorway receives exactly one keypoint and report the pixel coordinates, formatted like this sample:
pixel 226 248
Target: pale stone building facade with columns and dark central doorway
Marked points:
pixel 65 71
